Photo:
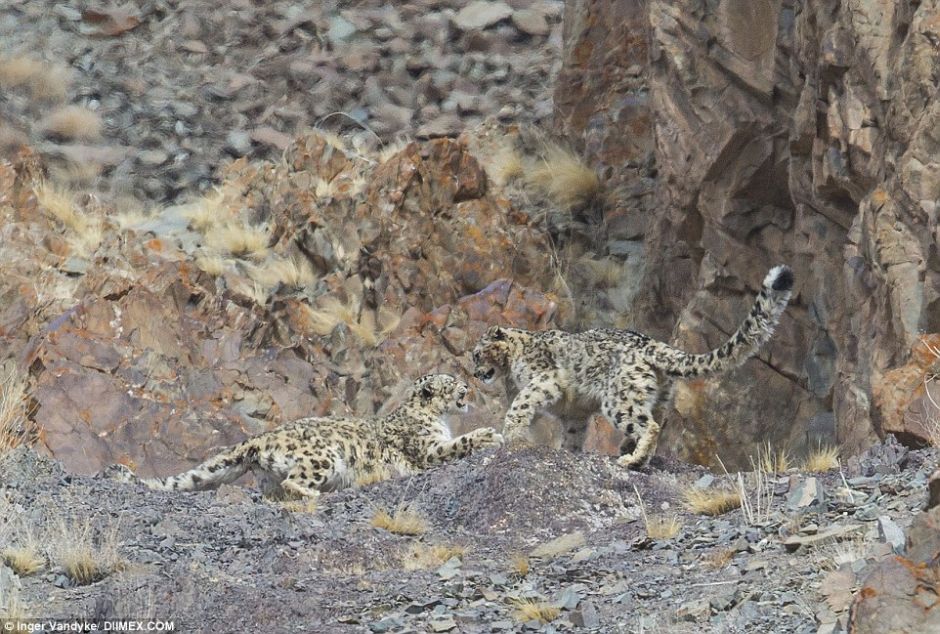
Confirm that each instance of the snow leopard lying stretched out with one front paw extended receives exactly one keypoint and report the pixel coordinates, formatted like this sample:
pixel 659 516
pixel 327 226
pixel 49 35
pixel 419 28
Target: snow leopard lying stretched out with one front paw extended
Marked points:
pixel 311 455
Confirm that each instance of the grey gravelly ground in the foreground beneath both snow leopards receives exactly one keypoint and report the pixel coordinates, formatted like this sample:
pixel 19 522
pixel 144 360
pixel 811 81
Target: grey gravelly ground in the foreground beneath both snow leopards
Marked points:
pixel 229 560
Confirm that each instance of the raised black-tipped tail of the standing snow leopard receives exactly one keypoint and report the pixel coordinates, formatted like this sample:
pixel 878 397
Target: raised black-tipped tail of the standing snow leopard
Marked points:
pixel 754 331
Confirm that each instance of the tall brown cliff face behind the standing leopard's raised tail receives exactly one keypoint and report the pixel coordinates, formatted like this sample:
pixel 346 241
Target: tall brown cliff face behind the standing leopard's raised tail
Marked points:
pixel 759 132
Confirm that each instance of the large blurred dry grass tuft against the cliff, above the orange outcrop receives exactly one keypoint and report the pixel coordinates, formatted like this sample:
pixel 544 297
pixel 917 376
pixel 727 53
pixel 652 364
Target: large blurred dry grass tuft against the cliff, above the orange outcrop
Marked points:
pixel 564 178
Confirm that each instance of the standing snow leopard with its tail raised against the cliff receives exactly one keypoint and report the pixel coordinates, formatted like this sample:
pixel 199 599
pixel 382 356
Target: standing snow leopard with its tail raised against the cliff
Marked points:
pixel 627 373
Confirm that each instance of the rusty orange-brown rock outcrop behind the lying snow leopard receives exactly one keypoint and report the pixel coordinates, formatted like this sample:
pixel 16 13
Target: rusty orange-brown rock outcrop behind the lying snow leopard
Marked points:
pixel 164 355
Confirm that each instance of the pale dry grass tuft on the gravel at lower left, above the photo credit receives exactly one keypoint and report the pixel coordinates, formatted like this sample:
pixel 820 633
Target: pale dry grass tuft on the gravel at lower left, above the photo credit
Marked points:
pixel 83 556
